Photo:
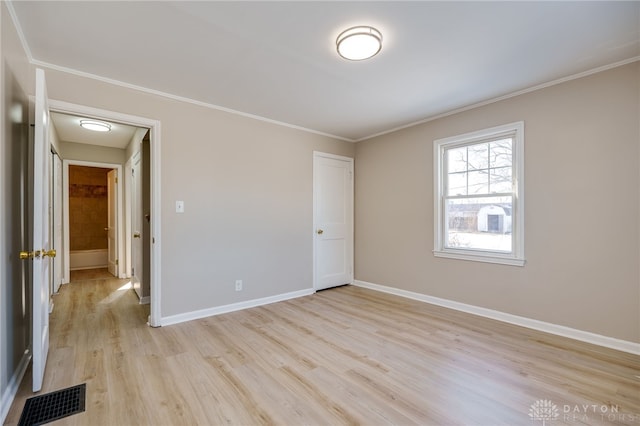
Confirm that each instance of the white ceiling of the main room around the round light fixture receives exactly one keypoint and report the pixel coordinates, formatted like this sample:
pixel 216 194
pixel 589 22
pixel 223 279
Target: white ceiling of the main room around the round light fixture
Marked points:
pixel 277 60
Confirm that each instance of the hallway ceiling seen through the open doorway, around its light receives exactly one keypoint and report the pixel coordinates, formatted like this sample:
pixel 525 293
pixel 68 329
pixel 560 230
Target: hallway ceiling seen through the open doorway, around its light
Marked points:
pixel 68 130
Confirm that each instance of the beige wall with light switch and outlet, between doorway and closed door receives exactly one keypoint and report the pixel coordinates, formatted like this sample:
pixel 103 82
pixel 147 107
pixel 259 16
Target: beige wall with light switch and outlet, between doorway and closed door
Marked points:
pixel 247 188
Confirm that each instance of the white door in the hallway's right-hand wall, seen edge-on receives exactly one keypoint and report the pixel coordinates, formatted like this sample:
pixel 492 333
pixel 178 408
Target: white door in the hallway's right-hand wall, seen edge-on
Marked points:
pixel 136 224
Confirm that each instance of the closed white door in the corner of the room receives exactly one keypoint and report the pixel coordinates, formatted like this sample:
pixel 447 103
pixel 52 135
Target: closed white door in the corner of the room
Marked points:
pixel 333 220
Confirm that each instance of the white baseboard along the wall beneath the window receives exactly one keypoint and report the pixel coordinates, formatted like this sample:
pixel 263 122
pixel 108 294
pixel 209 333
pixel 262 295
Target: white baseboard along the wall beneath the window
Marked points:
pixel 560 330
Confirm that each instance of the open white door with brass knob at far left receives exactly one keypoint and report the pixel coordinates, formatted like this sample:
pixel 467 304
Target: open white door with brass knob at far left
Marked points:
pixel 41 244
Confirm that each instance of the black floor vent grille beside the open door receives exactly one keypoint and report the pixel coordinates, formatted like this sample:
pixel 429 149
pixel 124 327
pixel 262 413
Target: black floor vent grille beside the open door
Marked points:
pixel 53 406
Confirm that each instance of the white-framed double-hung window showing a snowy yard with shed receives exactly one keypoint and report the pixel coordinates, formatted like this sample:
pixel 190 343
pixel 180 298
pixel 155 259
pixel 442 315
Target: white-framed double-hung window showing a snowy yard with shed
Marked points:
pixel 479 204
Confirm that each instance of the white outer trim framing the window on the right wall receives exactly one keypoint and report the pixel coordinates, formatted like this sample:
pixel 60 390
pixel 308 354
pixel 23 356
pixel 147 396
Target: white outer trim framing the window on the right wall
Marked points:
pixel 516 257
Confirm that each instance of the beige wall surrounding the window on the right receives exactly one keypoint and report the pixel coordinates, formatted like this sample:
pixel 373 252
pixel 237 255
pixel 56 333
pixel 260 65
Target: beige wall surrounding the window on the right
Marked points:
pixel 581 204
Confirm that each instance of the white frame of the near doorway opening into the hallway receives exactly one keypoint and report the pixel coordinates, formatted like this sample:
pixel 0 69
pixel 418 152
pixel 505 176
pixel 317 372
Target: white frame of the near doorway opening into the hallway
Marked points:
pixel 155 317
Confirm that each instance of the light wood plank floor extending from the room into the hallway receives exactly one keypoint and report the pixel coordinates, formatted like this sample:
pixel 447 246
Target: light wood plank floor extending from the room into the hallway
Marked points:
pixel 342 356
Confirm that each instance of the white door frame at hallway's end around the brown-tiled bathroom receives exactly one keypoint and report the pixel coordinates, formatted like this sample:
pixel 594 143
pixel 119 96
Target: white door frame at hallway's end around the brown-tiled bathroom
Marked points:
pixel 66 213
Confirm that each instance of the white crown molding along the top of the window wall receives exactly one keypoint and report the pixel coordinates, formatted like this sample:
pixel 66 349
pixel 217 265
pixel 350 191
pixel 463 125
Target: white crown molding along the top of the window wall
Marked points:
pixel 504 97
